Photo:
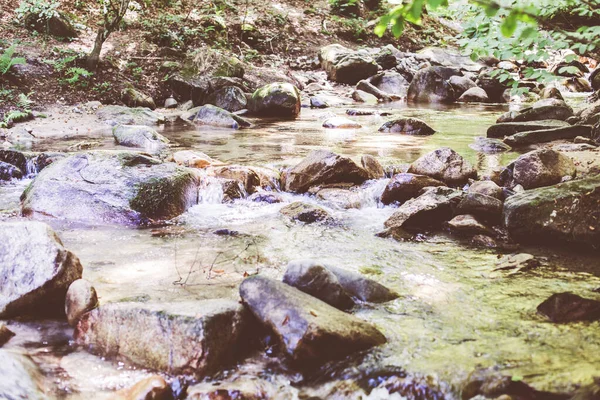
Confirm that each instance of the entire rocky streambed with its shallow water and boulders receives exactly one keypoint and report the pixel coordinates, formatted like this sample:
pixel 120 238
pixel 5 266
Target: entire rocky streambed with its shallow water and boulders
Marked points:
pixel 437 256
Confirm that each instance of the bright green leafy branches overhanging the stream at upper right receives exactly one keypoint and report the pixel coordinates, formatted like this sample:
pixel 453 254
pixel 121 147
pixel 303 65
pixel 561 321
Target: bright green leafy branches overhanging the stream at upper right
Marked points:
pixel 524 30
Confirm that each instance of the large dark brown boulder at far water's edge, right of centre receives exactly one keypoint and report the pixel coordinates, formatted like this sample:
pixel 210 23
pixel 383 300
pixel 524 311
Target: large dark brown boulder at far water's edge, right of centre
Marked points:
pixel 430 85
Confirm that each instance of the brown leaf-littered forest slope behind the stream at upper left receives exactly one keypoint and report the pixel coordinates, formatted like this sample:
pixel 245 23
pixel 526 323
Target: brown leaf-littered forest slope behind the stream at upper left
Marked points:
pixel 267 35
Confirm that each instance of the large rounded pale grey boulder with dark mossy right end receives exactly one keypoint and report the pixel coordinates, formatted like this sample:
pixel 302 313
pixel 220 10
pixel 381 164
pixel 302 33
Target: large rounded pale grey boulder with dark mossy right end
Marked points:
pixel 112 187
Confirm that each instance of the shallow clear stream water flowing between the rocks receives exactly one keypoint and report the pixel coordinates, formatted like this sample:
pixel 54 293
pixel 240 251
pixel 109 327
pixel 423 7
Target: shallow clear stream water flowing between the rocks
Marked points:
pixel 457 312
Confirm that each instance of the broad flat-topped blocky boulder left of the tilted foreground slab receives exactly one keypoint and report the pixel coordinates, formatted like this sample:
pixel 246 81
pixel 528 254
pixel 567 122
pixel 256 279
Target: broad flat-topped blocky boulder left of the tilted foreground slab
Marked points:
pixel 195 337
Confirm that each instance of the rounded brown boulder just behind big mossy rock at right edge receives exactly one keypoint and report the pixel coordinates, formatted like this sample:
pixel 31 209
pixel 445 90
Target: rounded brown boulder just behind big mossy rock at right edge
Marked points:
pixel 542 167
